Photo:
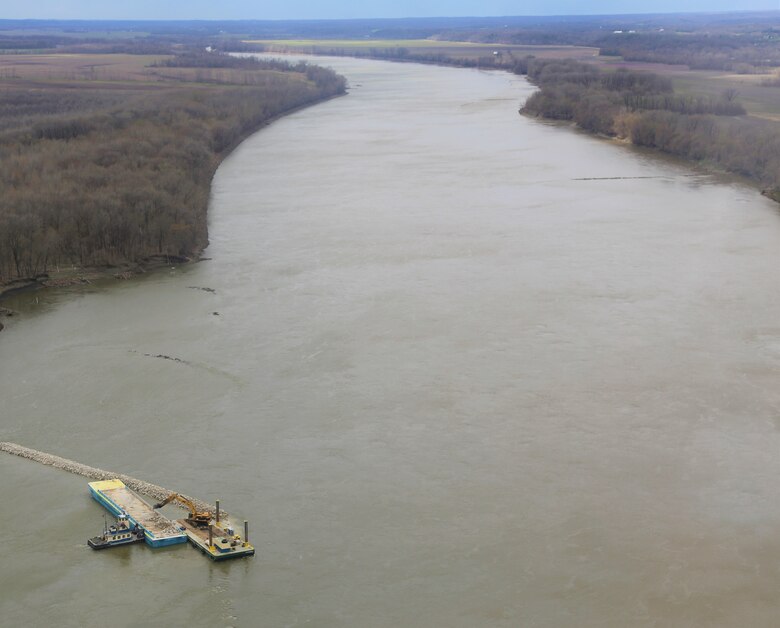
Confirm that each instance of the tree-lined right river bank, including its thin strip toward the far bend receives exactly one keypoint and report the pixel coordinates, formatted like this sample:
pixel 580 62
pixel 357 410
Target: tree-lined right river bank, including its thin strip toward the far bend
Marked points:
pixel 695 130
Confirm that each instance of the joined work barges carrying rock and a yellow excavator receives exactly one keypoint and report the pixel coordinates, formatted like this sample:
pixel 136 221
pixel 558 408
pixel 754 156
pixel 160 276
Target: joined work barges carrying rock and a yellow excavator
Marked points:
pixel 213 537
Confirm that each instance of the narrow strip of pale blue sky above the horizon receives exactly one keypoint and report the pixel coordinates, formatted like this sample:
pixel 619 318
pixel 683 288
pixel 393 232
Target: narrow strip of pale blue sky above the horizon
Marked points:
pixel 345 9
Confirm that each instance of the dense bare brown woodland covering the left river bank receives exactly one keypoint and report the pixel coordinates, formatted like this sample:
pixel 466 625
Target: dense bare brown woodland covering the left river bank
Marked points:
pixel 94 178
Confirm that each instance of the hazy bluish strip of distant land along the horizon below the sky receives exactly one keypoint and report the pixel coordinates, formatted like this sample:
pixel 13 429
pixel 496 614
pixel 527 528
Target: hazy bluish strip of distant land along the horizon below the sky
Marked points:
pixel 732 41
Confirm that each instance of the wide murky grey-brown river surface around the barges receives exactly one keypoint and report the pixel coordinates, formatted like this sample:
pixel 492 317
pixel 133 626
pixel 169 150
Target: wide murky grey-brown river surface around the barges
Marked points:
pixel 460 368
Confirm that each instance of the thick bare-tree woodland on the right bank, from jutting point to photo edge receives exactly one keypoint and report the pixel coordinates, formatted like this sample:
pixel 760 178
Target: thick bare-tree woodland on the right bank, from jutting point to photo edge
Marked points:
pixel 642 107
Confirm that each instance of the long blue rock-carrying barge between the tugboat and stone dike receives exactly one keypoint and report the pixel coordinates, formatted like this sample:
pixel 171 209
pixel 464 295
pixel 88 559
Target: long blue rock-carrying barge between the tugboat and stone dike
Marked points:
pixel 115 497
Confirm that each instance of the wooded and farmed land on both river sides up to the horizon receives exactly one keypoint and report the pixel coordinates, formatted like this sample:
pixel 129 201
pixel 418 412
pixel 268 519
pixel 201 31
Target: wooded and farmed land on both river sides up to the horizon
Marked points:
pixel 108 151
